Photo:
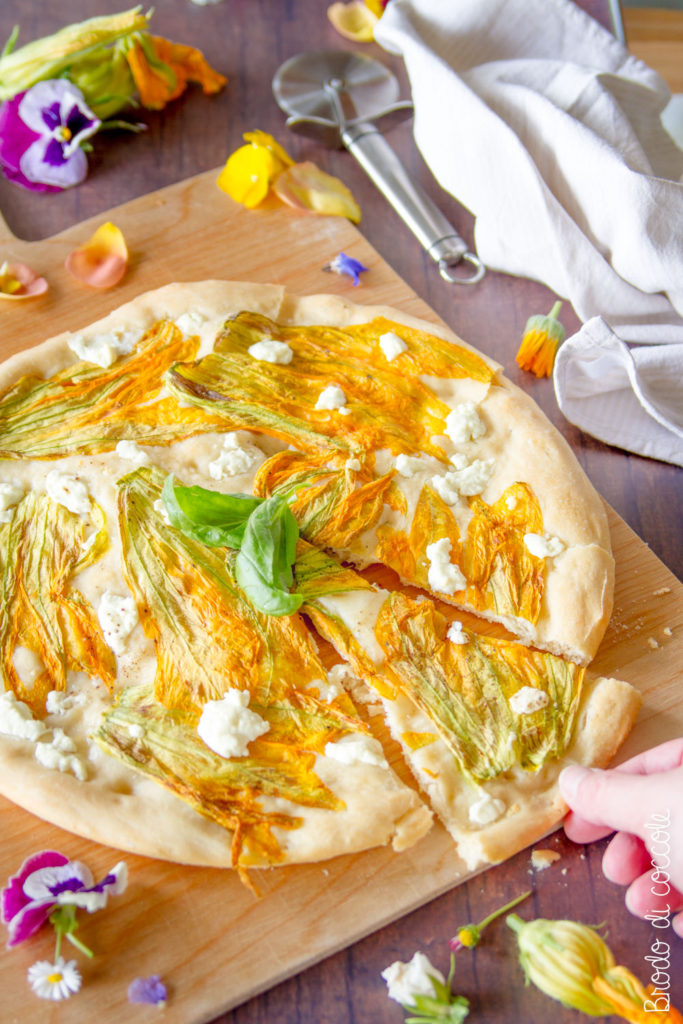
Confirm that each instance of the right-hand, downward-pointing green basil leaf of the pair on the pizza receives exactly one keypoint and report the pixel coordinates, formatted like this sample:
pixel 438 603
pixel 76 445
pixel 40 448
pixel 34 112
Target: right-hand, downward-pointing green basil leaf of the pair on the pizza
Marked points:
pixel 264 567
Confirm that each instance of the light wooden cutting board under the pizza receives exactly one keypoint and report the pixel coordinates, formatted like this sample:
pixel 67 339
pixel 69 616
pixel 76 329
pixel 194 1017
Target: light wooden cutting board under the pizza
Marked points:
pixel 215 945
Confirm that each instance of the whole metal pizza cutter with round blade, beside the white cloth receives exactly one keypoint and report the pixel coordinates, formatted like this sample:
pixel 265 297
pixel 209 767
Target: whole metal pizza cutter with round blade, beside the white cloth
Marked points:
pixel 338 98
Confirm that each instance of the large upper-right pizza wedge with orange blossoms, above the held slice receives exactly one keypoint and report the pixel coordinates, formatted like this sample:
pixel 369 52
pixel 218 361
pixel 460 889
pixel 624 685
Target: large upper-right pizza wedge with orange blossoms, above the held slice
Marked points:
pixel 413 451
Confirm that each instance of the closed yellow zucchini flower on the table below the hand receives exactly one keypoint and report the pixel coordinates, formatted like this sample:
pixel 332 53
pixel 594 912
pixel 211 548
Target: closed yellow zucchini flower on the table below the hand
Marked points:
pixel 573 964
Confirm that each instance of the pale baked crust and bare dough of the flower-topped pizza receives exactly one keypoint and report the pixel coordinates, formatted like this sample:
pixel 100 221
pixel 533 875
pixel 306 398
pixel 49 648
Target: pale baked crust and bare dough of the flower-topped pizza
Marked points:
pixel 116 805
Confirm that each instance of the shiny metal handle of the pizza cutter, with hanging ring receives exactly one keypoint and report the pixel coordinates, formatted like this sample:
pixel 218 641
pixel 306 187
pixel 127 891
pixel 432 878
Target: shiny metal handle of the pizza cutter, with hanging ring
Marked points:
pixel 365 142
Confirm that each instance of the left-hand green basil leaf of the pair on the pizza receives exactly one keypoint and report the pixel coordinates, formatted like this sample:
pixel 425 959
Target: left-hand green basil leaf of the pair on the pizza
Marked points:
pixel 209 517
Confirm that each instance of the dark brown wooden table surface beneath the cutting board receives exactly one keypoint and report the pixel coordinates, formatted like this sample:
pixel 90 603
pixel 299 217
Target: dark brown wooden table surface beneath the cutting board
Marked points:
pixel 247 40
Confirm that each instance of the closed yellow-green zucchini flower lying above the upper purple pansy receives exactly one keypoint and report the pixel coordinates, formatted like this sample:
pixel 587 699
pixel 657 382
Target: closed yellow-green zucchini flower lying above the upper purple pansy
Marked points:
pixel 55 56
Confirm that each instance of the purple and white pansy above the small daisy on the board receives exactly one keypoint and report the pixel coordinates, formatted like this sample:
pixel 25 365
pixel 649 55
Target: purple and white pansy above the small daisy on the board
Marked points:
pixel 48 881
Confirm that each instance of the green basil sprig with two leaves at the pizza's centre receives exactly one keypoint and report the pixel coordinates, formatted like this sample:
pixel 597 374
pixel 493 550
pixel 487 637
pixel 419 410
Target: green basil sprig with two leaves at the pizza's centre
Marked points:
pixel 266 534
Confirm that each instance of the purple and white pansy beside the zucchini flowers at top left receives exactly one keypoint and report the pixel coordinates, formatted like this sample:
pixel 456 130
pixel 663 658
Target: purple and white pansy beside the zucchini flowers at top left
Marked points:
pixel 41 133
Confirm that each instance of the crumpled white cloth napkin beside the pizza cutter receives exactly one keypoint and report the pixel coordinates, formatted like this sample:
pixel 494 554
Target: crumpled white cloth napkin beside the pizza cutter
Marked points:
pixel 543 125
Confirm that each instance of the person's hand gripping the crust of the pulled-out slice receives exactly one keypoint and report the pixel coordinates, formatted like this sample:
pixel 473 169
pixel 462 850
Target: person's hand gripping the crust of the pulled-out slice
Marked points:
pixel 643 801
